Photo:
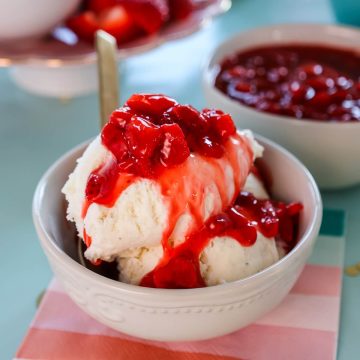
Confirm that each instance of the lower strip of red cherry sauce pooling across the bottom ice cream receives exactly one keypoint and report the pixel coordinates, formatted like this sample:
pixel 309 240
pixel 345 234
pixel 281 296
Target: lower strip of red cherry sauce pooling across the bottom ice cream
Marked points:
pixel 179 268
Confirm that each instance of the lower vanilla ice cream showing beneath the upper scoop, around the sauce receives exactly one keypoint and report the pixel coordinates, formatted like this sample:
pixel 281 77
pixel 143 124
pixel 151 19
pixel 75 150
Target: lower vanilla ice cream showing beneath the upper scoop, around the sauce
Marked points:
pixel 223 259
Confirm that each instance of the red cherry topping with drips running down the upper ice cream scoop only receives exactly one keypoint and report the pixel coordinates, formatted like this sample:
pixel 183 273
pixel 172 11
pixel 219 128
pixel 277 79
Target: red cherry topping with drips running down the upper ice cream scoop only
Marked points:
pixel 152 137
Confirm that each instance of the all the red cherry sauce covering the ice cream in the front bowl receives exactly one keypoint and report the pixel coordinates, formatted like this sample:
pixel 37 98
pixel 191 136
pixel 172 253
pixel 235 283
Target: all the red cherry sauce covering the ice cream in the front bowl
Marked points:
pixel 185 151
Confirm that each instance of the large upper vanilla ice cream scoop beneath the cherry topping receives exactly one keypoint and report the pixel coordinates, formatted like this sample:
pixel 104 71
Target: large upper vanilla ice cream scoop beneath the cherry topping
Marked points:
pixel 147 210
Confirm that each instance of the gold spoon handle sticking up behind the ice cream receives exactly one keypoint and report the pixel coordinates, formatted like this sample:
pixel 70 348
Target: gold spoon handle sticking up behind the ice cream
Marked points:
pixel 108 75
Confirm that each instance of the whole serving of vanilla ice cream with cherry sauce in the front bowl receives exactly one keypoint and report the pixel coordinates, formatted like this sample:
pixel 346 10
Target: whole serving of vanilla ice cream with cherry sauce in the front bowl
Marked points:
pixel 173 196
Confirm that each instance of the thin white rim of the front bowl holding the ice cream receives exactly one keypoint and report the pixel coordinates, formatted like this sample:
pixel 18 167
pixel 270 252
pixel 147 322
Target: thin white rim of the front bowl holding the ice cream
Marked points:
pixel 47 242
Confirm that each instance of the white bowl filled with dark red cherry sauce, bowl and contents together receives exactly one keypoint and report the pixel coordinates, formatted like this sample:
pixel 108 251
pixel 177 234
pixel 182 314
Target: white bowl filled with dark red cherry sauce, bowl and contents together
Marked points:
pixel 298 85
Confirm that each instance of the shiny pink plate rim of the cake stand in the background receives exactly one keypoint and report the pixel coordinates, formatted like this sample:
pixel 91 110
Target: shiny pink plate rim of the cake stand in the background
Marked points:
pixel 63 47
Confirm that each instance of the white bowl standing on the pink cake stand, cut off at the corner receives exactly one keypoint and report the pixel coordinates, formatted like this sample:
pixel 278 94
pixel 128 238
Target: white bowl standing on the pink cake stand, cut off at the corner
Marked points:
pixel 32 18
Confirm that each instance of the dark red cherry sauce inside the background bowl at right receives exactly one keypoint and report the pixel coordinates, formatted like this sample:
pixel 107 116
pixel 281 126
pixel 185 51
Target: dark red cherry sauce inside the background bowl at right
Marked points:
pixel 301 81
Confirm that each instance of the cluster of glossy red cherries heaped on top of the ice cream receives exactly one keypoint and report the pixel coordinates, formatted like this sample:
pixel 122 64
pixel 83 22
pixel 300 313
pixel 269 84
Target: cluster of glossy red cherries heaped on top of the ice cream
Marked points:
pixel 153 129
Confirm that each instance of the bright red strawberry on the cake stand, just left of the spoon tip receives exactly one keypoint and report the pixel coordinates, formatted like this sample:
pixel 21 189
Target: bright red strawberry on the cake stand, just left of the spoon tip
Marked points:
pixel 84 25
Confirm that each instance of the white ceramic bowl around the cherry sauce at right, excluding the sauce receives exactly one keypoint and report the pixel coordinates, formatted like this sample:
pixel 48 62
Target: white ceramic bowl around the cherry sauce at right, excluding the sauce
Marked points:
pixel 329 149
